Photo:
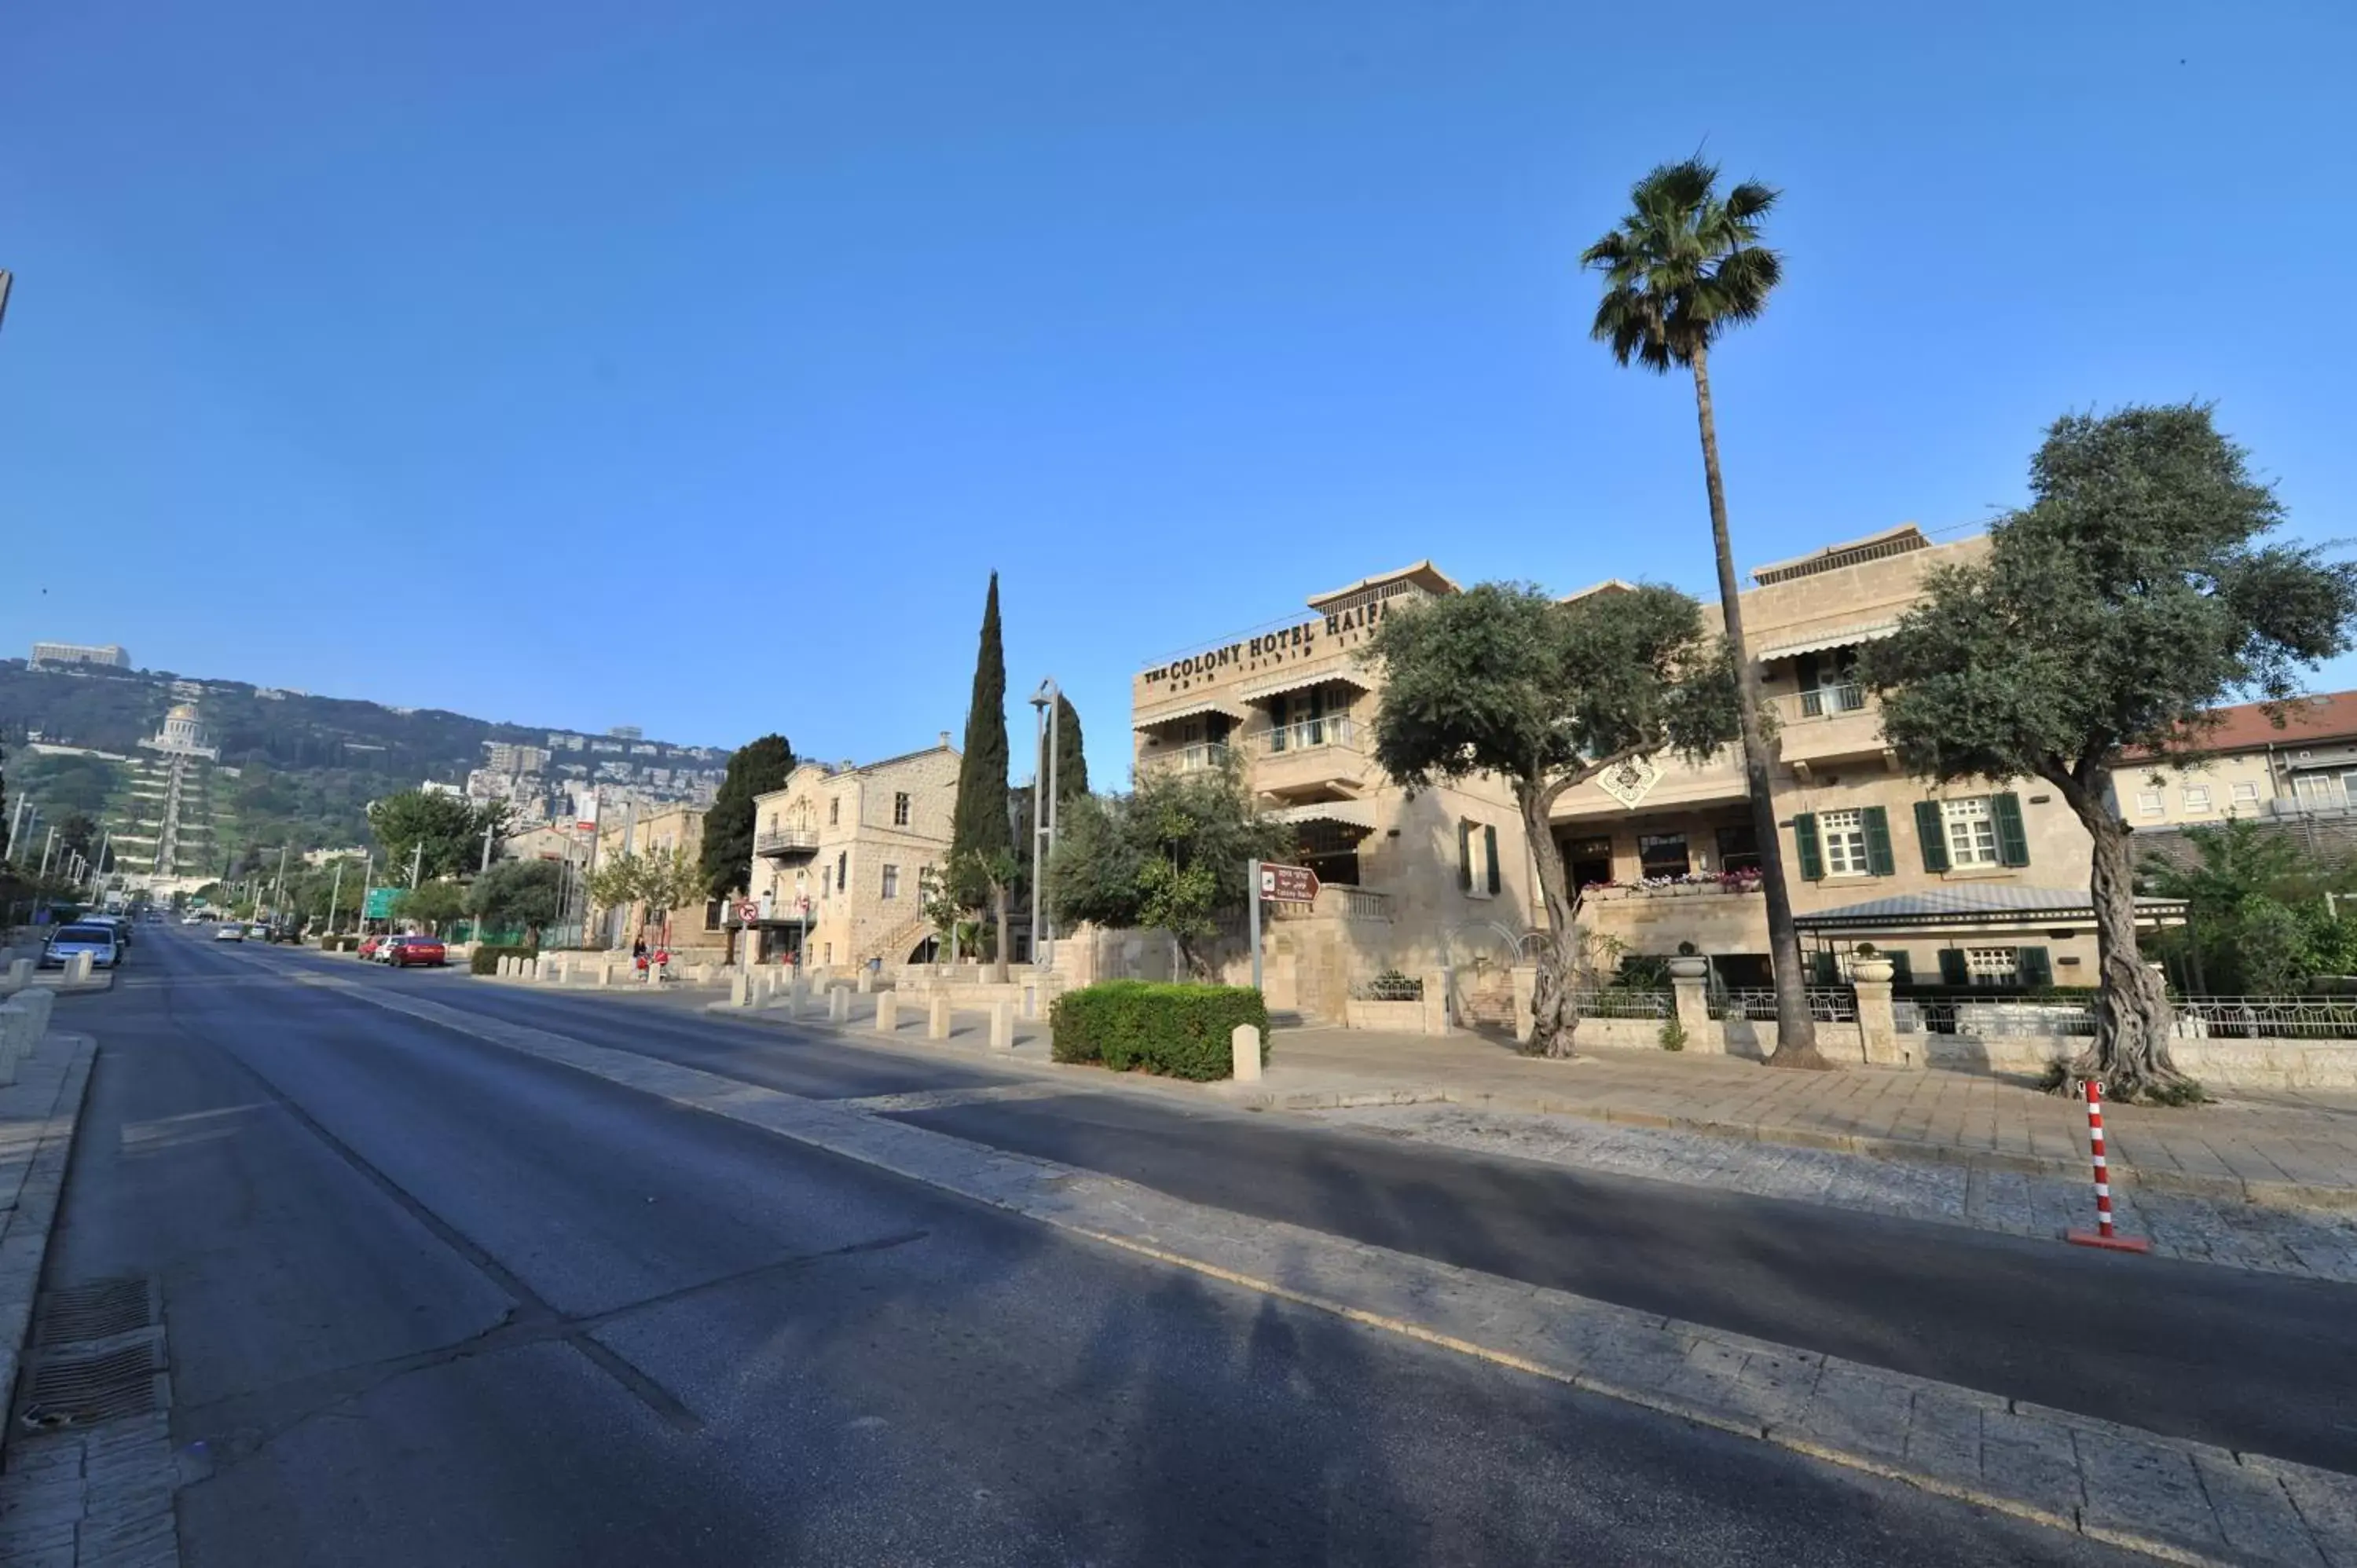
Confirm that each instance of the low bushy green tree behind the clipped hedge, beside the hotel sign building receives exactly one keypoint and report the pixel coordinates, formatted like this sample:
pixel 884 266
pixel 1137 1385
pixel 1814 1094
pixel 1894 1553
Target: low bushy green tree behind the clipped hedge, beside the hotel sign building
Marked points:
pixel 1173 855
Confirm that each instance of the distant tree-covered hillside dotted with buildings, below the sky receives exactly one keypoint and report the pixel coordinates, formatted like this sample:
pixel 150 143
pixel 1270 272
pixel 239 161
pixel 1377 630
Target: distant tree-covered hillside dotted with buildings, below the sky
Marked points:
pixel 303 765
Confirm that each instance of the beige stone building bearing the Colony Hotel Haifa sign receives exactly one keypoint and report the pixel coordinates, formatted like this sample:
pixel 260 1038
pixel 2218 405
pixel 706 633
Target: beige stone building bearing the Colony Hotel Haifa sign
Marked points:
pixel 1406 883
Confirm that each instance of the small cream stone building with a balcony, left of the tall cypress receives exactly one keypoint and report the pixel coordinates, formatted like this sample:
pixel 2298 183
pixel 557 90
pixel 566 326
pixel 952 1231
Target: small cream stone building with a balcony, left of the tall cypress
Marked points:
pixel 845 857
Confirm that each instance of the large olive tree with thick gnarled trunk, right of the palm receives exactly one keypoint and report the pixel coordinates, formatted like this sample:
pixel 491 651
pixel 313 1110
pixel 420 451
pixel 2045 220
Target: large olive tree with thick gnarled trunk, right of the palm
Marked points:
pixel 2127 602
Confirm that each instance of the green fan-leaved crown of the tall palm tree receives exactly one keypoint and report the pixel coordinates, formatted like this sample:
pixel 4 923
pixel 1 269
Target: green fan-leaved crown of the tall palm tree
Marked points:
pixel 1682 268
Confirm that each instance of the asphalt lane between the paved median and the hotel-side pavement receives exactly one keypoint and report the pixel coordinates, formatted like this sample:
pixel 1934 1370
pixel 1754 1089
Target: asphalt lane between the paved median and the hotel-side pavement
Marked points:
pixel 2252 1362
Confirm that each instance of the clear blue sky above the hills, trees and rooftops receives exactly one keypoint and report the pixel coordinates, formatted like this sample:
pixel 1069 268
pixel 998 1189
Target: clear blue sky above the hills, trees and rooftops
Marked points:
pixel 692 367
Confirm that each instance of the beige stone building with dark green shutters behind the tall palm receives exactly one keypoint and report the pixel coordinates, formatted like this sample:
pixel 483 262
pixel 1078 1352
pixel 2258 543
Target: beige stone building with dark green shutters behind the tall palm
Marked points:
pixel 1965 885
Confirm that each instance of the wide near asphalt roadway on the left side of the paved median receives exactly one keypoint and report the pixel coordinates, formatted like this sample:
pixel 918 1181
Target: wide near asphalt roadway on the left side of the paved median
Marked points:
pixel 430 1300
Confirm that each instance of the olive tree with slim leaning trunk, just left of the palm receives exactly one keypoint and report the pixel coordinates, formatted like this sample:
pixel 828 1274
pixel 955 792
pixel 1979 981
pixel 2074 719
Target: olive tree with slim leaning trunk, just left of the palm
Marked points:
pixel 1547 694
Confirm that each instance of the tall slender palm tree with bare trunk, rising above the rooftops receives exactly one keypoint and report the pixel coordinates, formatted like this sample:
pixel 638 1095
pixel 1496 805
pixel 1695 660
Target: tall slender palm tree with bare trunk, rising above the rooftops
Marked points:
pixel 1679 270
